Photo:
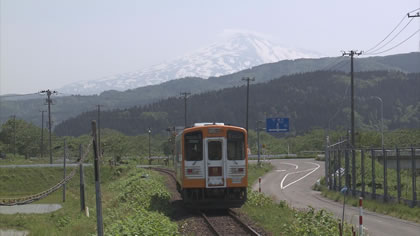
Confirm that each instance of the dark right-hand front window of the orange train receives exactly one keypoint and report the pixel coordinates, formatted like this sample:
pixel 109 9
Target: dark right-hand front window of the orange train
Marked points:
pixel 235 145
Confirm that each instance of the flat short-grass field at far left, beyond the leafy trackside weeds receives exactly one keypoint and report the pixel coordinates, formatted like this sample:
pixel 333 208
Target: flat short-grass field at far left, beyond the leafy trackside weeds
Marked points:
pixel 69 220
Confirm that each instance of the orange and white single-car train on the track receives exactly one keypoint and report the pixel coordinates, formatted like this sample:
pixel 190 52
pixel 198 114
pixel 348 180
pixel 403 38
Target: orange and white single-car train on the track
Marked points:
pixel 211 165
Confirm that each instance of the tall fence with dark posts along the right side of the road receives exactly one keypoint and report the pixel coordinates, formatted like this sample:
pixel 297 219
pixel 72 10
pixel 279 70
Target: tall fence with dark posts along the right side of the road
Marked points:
pixel 376 173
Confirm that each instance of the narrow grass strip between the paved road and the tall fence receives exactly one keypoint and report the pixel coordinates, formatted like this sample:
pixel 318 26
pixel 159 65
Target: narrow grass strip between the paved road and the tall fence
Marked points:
pixel 401 211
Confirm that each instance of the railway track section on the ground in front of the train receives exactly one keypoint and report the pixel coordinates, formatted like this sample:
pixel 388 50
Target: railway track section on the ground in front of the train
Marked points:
pixel 226 222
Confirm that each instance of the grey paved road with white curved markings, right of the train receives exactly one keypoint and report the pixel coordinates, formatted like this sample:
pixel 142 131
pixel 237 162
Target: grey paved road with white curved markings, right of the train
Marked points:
pixel 292 180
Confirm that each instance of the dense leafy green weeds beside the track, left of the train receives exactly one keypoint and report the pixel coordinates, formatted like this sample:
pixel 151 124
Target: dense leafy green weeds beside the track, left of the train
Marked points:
pixel 141 207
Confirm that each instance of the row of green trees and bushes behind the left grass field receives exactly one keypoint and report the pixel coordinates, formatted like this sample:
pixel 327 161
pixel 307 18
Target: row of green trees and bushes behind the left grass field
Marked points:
pixel 114 144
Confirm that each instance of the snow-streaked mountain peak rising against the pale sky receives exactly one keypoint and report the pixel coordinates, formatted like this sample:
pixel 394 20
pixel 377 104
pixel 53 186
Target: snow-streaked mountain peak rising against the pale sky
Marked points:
pixel 242 50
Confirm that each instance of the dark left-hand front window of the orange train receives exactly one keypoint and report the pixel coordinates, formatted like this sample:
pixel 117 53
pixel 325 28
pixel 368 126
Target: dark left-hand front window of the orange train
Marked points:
pixel 194 146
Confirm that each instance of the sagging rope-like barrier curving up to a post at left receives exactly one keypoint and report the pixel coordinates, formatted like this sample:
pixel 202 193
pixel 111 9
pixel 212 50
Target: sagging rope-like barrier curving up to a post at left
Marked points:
pixel 35 197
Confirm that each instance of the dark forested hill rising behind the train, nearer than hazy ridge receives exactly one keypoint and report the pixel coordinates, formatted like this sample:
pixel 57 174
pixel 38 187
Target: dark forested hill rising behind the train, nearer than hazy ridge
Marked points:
pixel 316 99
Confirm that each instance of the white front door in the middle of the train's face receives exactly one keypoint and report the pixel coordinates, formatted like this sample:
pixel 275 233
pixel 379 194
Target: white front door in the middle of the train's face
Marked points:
pixel 215 158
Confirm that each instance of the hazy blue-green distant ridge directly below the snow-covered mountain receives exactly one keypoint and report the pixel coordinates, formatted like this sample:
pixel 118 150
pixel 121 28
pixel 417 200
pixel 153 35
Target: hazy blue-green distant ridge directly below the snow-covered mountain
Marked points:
pixel 70 106
